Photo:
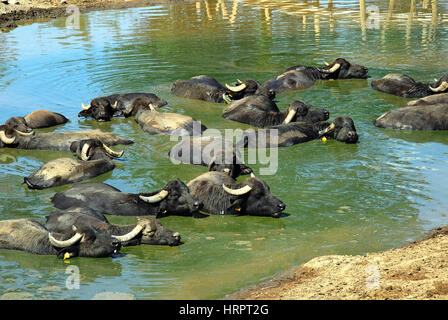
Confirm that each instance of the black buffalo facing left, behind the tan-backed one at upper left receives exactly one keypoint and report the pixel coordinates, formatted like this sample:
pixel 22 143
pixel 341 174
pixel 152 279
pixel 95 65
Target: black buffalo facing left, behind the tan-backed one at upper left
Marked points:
pixel 104 108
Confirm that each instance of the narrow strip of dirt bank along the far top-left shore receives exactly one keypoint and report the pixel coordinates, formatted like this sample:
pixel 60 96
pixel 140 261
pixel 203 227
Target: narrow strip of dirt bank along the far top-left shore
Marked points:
pixel 15 12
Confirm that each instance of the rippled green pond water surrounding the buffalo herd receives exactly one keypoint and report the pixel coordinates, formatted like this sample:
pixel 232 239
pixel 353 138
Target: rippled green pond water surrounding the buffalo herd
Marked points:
pixel 386 190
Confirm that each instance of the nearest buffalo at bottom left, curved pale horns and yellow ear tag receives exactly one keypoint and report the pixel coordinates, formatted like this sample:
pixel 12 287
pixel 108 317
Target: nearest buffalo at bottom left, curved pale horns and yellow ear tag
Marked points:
pixel 30 236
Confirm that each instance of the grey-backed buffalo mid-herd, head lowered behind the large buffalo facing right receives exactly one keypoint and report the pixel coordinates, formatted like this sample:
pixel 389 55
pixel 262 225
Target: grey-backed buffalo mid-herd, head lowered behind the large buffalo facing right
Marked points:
pixel 215 153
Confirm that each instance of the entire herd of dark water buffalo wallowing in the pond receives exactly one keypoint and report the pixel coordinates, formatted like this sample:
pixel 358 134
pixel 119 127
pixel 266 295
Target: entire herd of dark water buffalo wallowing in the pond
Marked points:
pixel 78 226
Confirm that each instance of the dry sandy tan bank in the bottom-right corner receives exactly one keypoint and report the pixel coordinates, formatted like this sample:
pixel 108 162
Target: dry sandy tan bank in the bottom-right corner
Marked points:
pixel 416 271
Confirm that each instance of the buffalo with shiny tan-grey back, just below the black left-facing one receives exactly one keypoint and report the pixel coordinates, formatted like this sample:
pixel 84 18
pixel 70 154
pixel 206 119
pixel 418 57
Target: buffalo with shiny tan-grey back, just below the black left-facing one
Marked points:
pixel 154 122
